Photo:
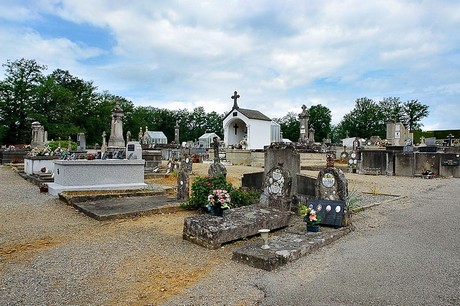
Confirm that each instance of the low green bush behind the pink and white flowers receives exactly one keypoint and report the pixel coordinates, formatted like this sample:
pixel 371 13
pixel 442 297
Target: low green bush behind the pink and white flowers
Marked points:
pixel 202 187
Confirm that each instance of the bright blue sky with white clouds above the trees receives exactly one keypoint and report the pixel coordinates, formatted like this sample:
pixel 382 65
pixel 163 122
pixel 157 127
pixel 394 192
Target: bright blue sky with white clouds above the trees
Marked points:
pixel 278 55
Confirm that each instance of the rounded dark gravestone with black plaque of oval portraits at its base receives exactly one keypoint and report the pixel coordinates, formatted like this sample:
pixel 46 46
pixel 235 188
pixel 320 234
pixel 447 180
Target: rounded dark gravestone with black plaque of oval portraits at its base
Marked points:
pixel 331 191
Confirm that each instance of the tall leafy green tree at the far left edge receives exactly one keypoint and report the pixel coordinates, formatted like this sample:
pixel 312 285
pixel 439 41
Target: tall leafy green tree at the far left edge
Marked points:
pixel 18 94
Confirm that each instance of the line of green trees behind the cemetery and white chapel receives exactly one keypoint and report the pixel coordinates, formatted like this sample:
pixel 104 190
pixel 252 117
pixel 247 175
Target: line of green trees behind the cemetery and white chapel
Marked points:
pixel 66 105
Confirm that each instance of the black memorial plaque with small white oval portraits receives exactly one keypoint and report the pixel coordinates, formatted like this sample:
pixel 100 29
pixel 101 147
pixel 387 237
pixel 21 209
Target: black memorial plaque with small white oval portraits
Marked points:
pixel 330 211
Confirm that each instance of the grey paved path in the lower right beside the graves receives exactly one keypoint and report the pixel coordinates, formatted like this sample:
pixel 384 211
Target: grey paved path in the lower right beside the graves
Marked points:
pixel 403 253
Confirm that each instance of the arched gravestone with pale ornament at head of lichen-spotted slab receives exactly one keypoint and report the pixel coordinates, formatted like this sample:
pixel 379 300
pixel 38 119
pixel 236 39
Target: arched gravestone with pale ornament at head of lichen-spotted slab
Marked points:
pixel 277 188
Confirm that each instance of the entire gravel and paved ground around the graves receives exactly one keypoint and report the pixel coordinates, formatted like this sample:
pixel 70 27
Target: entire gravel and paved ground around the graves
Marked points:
pixel 52 254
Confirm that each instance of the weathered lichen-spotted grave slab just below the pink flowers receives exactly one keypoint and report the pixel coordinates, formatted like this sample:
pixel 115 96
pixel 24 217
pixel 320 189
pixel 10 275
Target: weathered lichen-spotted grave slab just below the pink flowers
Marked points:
pixel 211 231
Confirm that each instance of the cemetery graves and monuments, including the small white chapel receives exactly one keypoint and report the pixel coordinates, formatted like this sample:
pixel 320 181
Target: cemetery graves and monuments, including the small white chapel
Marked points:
pixel 300 197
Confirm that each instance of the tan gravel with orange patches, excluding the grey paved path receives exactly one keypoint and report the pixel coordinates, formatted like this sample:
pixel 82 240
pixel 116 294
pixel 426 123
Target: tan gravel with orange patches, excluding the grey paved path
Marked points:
pixel 52 254
